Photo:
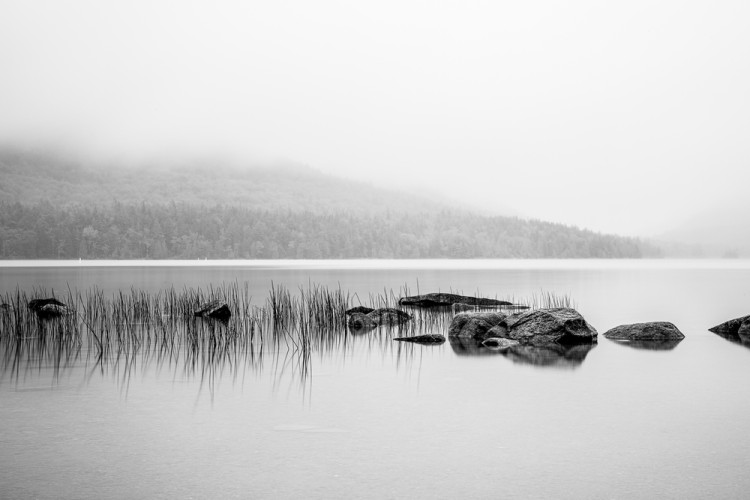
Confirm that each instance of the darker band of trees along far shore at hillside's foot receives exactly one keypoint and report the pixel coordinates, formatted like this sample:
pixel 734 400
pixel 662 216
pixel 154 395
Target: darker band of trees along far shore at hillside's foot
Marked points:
pixel 187 231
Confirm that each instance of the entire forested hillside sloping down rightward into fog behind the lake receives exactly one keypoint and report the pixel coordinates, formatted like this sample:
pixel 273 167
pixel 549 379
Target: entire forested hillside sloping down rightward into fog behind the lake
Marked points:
pixel 64 210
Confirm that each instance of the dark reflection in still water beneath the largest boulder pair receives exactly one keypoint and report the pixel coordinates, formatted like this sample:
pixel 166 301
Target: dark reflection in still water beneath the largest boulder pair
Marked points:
pixel 548 355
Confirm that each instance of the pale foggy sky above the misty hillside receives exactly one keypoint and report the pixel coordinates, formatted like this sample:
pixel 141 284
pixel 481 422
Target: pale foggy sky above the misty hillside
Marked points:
pixel 618 116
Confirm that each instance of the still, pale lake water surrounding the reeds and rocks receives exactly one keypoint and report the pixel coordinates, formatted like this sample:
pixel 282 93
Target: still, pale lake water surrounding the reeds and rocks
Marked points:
pixel 367 417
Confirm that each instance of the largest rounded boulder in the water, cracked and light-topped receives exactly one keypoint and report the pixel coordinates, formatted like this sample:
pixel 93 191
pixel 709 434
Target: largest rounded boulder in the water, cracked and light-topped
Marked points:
pixel 546 326
